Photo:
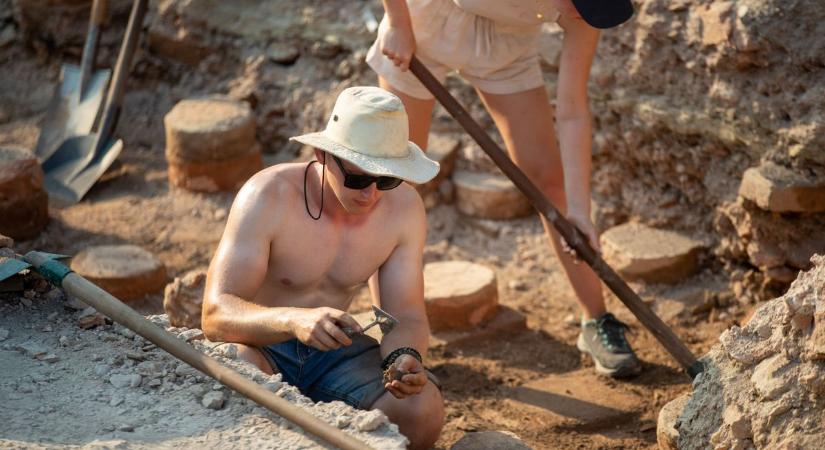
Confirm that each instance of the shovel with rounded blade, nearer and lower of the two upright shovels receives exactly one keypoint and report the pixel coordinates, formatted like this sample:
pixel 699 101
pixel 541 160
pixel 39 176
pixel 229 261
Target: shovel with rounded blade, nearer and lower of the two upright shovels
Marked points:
pixel 81 160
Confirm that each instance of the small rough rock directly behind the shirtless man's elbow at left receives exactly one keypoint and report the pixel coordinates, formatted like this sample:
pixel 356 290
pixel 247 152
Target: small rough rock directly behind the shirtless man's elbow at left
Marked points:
pixel 183 299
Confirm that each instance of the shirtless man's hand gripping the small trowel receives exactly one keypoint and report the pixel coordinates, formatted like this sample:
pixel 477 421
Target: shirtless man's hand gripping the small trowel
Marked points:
pixel 320 327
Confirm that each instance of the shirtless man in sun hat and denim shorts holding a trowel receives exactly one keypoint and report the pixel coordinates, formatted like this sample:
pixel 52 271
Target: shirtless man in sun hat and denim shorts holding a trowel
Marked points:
pixel 302 238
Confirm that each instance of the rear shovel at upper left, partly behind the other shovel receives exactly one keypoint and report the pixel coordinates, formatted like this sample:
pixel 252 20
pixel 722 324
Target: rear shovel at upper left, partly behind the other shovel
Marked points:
pixel 77 99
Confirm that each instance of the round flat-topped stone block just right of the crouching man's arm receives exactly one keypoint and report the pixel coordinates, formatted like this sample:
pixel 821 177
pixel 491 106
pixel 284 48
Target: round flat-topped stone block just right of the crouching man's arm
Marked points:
pixel 459 294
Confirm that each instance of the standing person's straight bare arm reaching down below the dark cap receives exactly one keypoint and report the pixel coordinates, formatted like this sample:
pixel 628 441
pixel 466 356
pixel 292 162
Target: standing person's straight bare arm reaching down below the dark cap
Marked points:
pixel 573 119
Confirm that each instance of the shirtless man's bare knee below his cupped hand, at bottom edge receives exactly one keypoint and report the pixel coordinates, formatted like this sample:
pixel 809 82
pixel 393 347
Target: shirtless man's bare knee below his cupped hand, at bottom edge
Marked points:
pixel 420 417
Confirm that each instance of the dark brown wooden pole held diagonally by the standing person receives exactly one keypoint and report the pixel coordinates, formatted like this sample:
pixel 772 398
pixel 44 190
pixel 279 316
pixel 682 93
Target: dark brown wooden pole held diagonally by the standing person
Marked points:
pixel 570 233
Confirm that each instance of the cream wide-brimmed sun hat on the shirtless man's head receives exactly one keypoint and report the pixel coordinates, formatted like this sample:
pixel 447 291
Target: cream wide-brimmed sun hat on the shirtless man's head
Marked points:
pixel 369 128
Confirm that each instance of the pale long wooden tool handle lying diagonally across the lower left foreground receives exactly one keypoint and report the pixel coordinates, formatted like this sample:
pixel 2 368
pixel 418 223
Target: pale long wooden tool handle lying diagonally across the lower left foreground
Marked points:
pixel 126 316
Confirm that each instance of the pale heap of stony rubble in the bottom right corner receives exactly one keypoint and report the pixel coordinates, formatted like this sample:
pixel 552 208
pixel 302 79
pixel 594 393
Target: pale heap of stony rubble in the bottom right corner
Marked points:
pixel 764 385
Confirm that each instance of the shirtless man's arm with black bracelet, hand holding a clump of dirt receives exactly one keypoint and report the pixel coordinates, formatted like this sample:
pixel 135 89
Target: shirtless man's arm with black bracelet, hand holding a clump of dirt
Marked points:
pixel 401 279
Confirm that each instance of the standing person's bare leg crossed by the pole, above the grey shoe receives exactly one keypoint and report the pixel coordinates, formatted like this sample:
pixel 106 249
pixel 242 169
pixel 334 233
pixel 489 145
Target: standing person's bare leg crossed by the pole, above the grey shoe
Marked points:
pixel 525 121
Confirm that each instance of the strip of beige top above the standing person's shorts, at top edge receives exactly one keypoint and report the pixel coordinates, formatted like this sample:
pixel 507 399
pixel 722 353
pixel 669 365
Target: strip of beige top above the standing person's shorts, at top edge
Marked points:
pixel 511 12
